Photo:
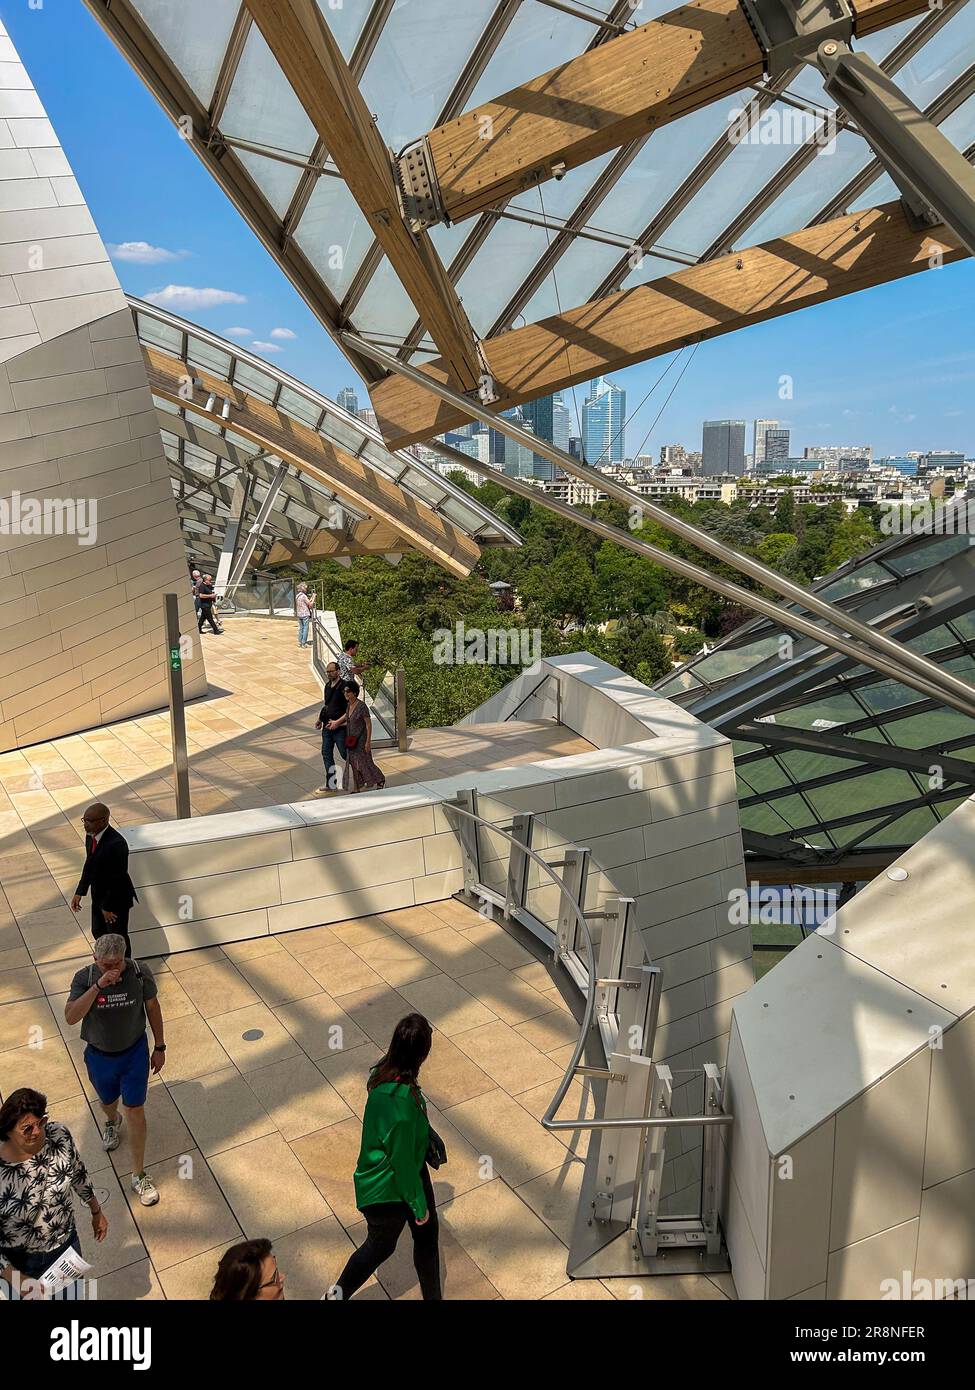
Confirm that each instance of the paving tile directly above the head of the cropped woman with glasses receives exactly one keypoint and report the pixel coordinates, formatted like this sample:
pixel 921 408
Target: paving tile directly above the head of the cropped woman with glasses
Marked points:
pixel 268 1189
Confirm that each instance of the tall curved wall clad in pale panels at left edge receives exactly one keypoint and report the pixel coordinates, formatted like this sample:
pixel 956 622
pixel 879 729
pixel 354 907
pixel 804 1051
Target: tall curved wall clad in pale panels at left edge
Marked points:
pixel 83 639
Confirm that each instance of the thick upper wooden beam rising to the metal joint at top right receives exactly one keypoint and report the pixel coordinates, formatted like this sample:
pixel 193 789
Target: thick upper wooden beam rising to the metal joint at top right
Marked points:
pixel 611 95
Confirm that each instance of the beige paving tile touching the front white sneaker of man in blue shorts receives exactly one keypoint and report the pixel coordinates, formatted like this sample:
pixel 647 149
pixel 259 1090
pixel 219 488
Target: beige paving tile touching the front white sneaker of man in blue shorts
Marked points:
pixel 191 1216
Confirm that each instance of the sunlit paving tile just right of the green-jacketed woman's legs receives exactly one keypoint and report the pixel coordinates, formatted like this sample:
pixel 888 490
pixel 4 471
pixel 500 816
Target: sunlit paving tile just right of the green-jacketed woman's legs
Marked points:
pixel 508 1243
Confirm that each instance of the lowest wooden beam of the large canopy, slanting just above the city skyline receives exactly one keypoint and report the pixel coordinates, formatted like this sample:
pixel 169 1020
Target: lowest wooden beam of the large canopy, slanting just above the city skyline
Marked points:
pixel 780 277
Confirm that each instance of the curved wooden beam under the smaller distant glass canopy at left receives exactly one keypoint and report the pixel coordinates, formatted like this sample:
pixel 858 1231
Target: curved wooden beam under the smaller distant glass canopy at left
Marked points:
pixel 311 454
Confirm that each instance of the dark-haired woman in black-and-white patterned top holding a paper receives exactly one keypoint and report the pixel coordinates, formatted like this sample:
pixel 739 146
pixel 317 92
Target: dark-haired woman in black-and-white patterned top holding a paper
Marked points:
pixel 40 1170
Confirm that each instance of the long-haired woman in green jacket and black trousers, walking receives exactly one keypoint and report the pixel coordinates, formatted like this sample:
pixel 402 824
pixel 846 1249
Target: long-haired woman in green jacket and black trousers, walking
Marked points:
pixel 393 1181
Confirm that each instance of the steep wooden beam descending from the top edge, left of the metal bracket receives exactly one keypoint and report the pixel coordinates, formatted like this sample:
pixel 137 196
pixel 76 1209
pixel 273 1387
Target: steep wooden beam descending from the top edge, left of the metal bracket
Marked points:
pixel 304 47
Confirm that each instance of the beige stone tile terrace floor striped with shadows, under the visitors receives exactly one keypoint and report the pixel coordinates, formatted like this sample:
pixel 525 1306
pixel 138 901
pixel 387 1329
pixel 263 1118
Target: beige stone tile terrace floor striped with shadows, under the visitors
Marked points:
pixel 258 1136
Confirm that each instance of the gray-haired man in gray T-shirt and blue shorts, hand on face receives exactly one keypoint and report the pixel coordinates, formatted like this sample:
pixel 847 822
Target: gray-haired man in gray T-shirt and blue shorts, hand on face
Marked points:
pixel 112 1000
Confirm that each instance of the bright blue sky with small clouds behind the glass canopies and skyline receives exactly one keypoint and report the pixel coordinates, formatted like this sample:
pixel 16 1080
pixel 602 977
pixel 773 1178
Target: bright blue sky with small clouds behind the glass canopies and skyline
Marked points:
pixel 894 368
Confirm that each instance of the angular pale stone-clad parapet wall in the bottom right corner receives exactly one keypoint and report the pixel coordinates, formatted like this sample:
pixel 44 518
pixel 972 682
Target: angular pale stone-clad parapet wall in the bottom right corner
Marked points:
pixel 852 1072
